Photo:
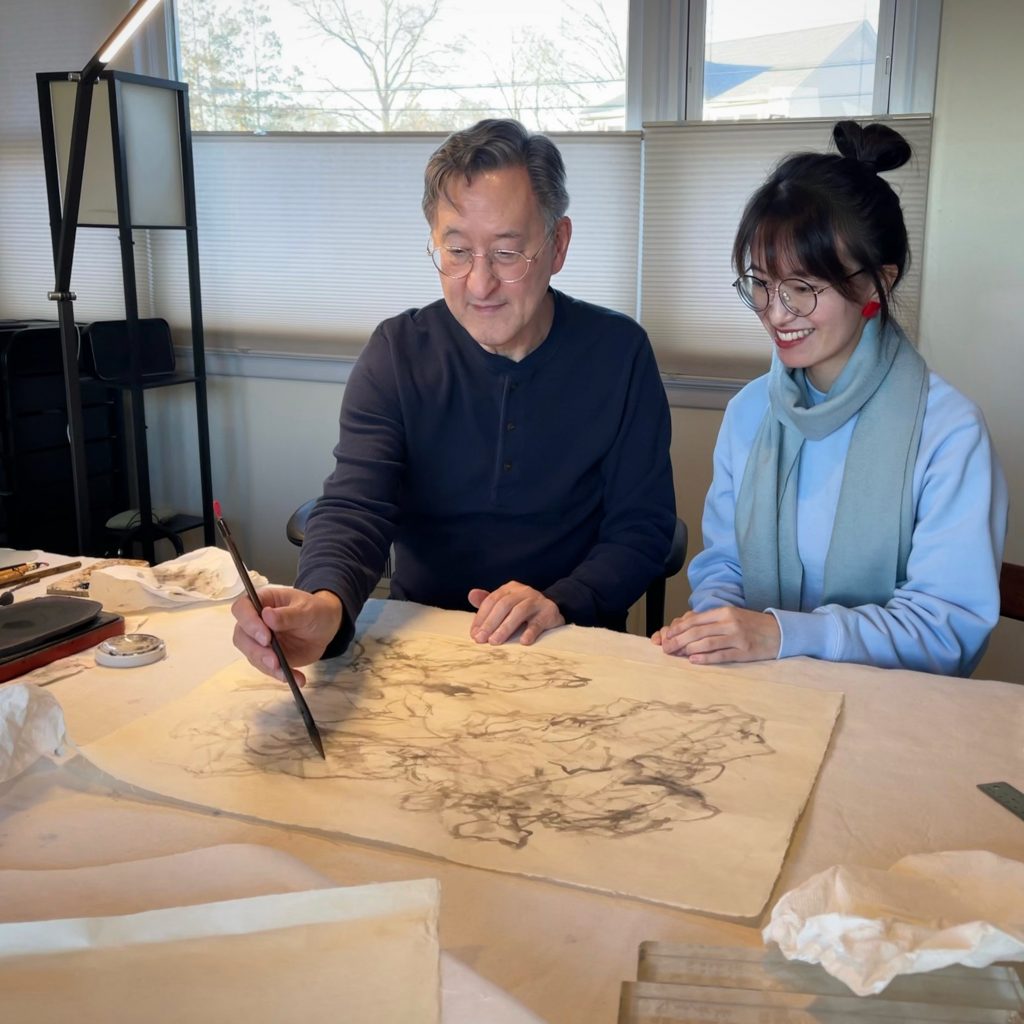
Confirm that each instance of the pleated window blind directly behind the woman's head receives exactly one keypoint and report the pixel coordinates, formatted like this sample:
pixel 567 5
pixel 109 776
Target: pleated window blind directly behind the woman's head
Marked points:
pixel 698 179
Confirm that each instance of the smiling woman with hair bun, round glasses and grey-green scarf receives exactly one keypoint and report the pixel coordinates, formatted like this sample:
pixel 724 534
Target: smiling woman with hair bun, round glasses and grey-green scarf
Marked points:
pixel 858 511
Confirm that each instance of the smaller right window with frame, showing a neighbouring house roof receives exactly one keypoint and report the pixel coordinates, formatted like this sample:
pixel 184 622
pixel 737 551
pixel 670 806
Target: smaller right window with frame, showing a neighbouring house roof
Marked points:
pixel 736 60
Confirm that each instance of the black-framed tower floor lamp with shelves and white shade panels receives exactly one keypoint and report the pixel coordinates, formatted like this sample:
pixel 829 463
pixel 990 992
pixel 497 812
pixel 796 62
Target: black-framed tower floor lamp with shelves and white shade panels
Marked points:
pixel 129 357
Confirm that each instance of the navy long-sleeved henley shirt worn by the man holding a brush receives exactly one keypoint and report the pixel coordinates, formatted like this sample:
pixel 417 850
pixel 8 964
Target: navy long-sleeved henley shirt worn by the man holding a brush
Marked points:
pixel 552 472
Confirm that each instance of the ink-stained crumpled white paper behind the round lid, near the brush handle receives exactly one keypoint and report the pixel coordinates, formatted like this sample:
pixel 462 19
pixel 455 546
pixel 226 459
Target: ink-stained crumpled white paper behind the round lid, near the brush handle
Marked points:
pixel 206 575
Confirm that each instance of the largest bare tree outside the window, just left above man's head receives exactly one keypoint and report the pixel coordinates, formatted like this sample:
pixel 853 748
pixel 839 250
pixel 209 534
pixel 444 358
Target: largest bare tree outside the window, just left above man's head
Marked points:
pixel 397 57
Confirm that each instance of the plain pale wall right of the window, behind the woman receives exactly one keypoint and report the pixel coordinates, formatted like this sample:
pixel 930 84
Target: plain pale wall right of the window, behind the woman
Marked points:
pixel 971 302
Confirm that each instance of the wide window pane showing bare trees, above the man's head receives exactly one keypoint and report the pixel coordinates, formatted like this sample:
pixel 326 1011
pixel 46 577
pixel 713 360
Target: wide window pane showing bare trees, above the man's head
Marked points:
pixel 403 66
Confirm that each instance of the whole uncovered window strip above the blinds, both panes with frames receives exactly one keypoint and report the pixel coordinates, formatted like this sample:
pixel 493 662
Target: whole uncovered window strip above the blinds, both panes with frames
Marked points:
pixel 310 66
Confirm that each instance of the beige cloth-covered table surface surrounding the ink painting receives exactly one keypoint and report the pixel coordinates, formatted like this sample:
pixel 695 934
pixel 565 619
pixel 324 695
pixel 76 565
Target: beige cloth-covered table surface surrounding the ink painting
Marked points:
pixel 901 778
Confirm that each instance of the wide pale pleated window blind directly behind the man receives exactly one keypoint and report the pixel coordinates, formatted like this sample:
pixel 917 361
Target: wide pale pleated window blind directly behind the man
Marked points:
pixel 307 243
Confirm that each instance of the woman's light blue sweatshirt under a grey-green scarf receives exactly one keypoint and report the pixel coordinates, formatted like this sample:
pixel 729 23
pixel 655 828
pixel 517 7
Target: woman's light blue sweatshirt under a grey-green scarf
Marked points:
pixel 941 618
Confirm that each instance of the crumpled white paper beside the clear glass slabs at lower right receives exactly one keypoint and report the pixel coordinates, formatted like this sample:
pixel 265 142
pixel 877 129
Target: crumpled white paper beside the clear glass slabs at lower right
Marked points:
pixel 866 926
